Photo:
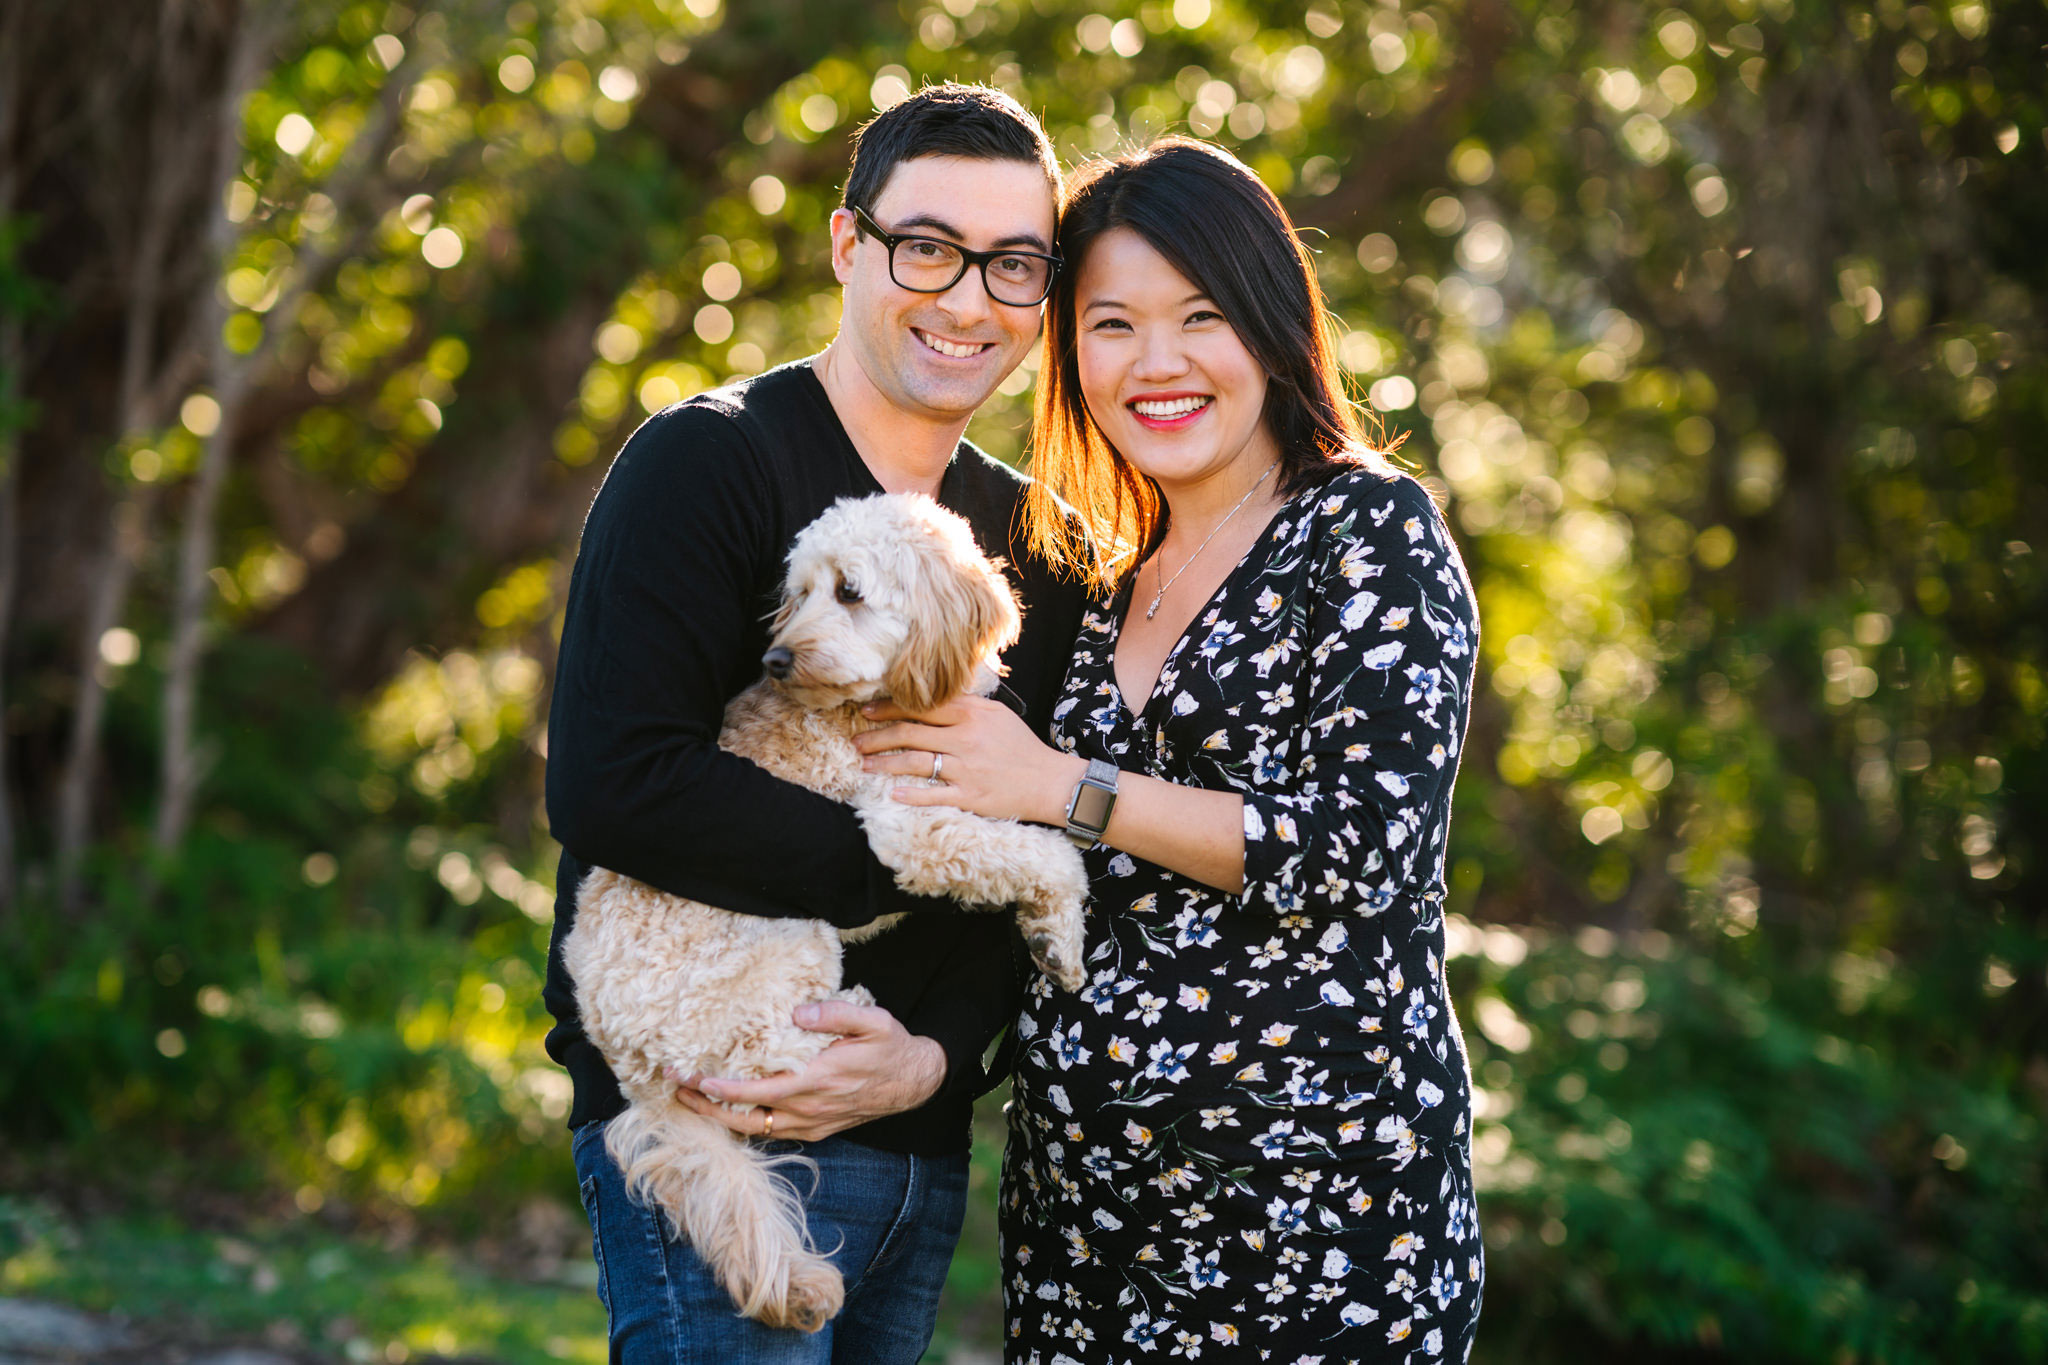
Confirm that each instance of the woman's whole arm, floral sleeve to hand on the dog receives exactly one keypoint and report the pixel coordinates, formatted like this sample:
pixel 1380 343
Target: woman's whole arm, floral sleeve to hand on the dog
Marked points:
pixel 1379 750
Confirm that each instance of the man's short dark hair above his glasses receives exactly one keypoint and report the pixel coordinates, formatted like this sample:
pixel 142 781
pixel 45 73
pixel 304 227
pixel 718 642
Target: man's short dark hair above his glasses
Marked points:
pixel 951 120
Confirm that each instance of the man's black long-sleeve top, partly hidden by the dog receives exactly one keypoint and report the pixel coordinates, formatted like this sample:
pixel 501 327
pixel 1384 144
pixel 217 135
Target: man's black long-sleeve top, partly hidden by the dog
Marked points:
pixel 669 617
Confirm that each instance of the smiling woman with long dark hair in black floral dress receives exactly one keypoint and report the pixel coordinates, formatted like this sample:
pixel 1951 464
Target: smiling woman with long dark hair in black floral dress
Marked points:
pixel 1252 1129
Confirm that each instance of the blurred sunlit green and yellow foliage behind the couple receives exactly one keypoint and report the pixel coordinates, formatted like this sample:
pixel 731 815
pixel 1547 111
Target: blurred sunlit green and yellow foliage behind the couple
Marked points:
pixel 1719 326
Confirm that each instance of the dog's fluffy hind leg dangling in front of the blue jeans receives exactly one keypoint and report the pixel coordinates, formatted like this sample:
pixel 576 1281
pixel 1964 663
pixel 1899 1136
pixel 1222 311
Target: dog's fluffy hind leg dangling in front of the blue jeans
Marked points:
pixel 730 1202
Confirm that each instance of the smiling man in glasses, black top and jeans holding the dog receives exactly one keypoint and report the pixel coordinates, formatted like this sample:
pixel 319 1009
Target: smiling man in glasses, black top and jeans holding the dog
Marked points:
pixel 941 249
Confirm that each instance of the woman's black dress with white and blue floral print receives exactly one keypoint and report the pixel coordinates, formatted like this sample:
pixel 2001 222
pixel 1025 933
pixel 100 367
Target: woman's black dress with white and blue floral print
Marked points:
pixel 1250 1137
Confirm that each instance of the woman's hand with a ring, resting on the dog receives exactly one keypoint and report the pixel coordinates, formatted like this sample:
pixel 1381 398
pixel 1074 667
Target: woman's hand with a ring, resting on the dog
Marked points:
pixel 990 762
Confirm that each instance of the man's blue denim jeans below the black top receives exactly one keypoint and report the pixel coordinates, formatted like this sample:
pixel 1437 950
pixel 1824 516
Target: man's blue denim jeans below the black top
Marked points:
pixel 894 1221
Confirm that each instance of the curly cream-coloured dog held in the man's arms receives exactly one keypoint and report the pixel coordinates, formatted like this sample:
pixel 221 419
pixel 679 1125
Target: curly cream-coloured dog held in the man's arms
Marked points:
pixel 884 597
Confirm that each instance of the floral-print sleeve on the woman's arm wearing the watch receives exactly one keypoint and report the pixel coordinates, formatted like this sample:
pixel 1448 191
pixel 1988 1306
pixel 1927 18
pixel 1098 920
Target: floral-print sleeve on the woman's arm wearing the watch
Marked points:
pixel 1390 631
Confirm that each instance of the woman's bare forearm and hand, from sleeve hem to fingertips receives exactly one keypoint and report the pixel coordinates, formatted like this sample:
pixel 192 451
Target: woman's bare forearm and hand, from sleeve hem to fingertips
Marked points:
pixel 996 766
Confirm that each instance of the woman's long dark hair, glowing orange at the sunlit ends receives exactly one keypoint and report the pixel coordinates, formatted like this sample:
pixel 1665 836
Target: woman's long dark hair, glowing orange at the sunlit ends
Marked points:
pixel 1218 224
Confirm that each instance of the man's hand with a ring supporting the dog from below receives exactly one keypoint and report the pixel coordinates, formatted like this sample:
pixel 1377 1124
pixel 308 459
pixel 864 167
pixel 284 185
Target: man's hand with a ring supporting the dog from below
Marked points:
pixel 873 1069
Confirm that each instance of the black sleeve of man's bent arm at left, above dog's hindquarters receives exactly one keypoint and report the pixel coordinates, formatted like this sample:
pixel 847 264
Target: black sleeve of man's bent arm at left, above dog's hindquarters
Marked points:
pixel 656 640
